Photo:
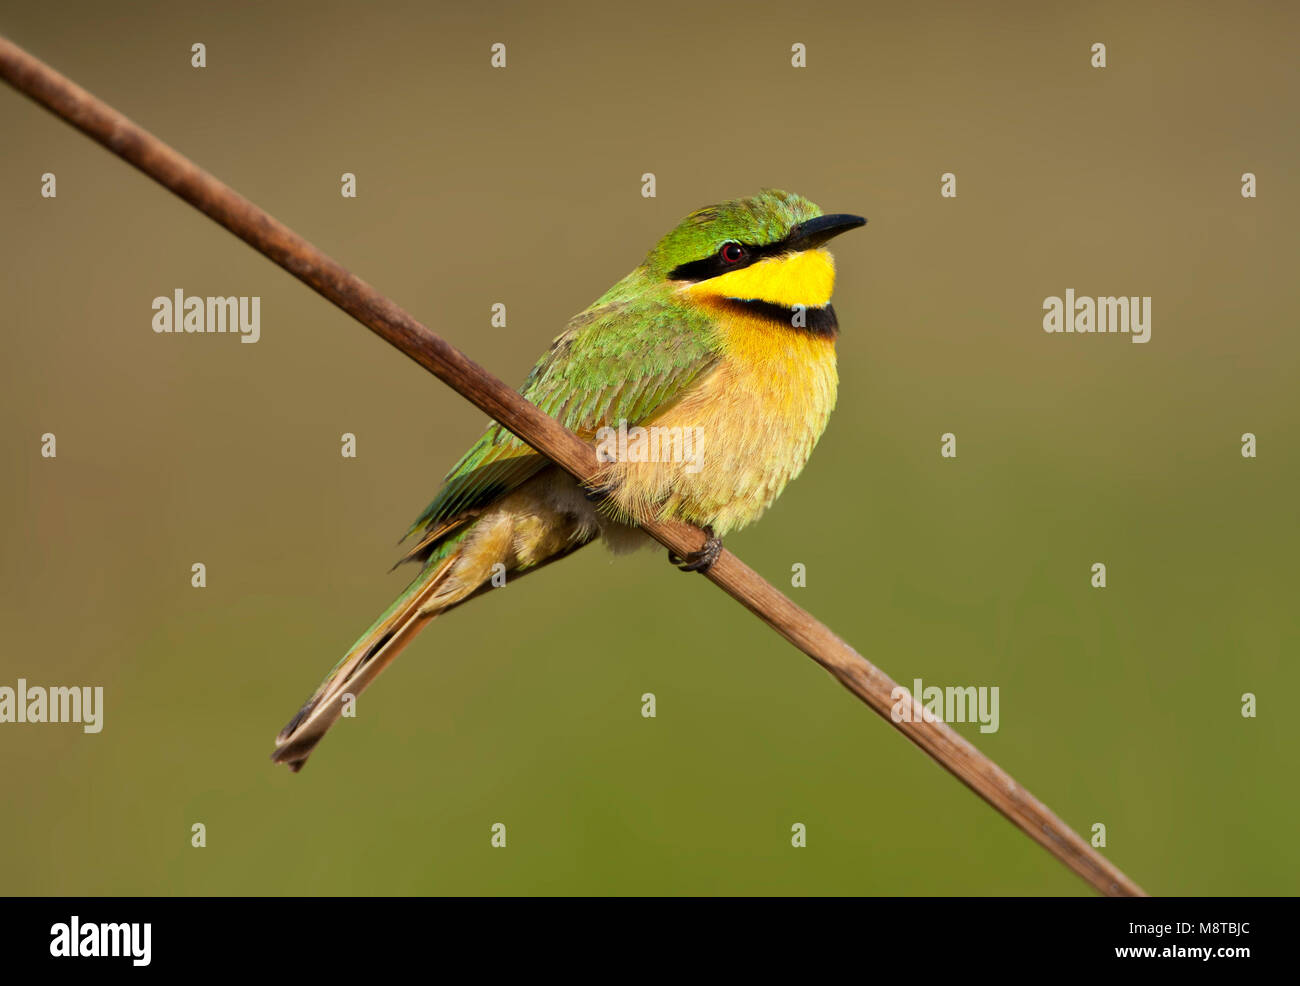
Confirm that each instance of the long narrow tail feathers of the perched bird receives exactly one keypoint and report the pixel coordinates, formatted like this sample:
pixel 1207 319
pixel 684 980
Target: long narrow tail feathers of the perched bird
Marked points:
pixel 361 667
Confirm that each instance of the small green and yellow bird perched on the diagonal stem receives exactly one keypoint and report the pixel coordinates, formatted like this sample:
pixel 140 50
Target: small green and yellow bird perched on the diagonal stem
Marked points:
pixel 721 344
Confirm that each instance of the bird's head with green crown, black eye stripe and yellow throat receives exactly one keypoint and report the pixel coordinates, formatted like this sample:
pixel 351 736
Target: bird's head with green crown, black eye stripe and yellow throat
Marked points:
pixel 769 248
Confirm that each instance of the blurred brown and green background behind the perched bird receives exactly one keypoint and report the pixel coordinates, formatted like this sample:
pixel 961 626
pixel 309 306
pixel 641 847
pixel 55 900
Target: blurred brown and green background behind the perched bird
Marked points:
pixel 523 187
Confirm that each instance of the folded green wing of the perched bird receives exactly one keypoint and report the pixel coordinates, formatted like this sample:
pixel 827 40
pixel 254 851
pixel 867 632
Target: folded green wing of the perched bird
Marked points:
pixel 621 360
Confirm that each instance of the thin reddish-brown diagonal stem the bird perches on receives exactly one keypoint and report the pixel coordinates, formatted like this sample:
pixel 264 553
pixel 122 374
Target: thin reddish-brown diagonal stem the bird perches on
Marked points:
pixel 323 275
